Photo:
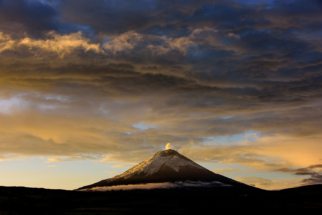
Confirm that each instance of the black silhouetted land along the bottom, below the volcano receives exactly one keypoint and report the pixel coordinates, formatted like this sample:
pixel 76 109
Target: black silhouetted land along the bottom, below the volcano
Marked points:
pixel 20 200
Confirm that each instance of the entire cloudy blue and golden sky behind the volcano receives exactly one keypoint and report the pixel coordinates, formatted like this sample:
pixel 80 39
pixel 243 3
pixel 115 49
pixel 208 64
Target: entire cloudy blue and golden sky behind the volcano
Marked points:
pixel 90 88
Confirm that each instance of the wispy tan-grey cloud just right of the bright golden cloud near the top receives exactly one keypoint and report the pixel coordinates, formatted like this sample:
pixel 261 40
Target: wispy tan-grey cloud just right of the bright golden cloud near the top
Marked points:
pixel 131 41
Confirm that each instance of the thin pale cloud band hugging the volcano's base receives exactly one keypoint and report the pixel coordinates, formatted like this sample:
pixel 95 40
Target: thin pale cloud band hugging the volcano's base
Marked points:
pixel 166 185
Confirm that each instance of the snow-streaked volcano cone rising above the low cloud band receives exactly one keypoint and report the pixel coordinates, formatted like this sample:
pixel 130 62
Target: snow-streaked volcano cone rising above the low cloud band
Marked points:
pixel 167 166
